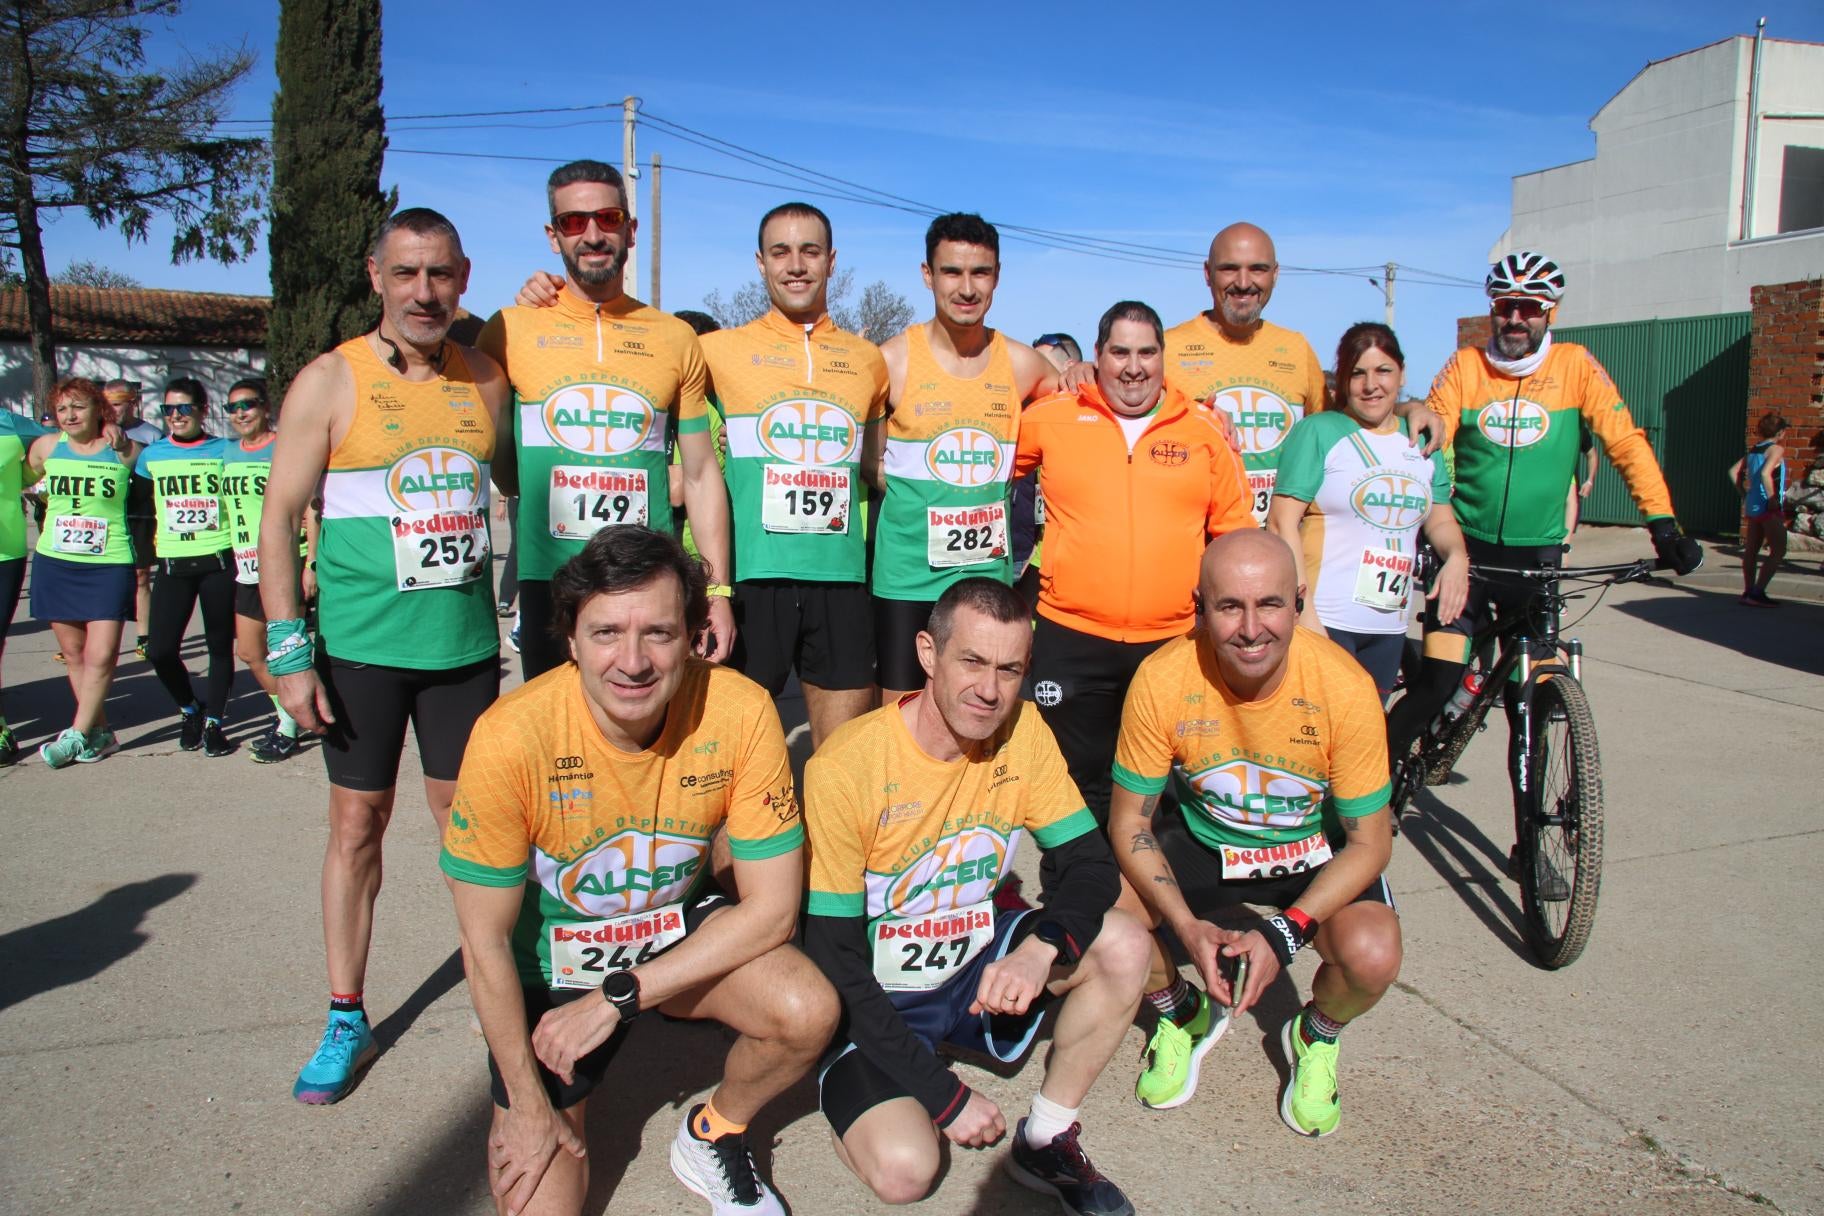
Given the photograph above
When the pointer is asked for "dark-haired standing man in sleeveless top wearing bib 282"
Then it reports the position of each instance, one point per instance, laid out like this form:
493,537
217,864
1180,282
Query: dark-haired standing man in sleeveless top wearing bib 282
953,413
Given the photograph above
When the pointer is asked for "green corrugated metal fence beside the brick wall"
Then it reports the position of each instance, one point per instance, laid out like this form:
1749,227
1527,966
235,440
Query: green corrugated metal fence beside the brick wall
1686,384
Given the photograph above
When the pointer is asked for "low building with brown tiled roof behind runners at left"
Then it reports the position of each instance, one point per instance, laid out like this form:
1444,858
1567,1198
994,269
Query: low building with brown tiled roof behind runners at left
140,335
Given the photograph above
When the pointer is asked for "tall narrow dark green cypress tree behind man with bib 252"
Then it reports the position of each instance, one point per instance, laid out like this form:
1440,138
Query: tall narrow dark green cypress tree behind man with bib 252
329,136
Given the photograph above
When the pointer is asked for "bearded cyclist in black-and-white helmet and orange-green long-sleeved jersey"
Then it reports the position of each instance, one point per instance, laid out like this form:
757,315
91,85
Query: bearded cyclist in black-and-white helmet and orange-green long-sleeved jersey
1511,411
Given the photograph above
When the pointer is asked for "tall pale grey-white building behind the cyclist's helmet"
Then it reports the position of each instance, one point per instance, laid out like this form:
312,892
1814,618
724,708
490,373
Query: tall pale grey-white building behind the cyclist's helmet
1659,223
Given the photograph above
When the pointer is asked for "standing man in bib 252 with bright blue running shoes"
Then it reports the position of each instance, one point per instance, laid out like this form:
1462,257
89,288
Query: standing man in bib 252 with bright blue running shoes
395,431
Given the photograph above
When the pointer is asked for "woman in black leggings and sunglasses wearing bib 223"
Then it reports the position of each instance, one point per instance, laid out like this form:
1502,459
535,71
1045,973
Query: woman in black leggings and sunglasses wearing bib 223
194,564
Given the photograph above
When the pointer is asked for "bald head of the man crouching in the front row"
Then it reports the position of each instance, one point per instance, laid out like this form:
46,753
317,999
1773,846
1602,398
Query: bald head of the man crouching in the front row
1250,610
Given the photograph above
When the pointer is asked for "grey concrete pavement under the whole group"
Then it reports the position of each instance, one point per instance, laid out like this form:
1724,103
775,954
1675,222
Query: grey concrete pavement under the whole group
161,982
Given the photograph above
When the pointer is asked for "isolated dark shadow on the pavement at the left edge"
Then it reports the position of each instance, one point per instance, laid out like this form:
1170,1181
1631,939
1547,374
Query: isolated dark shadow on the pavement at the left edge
85,943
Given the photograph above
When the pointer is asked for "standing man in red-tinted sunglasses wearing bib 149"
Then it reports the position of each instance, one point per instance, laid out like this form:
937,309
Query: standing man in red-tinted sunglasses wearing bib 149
597,382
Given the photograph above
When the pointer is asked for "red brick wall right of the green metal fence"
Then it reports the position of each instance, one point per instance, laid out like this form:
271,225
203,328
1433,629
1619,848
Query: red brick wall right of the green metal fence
1787,373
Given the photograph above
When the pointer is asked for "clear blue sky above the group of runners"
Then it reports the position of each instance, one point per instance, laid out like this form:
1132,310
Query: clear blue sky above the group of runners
1356,138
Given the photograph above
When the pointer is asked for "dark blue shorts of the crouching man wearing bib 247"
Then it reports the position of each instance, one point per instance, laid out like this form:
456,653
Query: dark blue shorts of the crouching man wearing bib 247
851,1084
